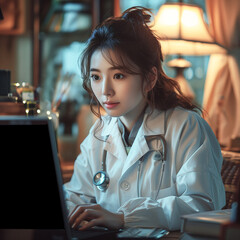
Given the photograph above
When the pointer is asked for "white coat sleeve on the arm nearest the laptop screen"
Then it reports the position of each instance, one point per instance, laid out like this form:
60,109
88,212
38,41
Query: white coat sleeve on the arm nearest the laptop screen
80,188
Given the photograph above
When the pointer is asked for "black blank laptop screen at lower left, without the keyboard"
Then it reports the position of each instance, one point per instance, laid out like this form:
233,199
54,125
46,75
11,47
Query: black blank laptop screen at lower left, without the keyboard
28,182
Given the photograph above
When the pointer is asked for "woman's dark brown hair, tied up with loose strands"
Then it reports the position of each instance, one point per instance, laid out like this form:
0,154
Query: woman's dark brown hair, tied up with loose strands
132,40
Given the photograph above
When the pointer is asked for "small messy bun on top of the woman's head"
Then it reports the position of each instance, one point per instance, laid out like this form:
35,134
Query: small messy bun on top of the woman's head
137,15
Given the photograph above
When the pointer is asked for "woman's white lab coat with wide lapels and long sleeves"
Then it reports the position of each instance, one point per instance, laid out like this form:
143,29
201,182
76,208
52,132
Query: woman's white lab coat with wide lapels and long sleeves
191,180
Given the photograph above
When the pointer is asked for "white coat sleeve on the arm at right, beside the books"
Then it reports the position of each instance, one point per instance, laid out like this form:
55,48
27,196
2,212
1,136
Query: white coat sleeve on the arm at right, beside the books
198,182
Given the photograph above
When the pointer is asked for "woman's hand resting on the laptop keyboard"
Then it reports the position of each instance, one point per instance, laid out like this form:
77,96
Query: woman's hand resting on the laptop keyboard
95,215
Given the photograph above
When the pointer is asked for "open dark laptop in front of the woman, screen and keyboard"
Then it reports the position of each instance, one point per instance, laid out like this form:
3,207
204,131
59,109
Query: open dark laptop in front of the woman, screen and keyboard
32,204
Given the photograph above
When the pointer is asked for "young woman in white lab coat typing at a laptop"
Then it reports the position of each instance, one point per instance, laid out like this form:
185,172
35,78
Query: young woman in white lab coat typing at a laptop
152,158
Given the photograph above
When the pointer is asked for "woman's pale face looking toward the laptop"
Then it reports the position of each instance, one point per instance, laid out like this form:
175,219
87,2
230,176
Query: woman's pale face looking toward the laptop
119,92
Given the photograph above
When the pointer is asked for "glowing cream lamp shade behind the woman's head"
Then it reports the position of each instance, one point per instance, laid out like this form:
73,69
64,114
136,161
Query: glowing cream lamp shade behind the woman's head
183,30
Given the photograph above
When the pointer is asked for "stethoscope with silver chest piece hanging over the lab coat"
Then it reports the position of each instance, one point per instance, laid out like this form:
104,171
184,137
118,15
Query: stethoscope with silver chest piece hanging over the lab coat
101,179
